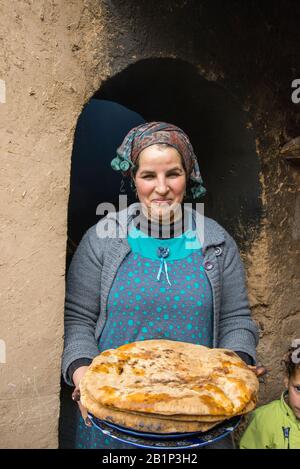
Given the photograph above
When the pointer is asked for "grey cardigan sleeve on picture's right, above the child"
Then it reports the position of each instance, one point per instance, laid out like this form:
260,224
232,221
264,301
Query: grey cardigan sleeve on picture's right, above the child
237,330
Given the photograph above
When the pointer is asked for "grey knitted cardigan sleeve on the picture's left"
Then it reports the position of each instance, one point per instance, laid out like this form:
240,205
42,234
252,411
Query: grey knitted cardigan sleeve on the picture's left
82,303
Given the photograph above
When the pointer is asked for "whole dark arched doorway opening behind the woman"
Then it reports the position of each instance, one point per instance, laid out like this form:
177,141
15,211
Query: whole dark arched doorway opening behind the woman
168,90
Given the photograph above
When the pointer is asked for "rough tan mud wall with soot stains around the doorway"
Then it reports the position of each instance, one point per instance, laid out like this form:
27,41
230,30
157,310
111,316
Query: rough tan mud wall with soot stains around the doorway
54,57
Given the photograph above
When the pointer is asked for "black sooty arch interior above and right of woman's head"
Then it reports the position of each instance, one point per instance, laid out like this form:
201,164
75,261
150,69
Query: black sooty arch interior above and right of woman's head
173,90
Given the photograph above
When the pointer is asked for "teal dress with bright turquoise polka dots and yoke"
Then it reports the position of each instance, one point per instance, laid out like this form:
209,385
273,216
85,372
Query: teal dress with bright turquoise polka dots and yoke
155,297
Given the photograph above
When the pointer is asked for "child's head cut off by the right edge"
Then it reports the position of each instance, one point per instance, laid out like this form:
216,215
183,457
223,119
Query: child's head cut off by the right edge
292,379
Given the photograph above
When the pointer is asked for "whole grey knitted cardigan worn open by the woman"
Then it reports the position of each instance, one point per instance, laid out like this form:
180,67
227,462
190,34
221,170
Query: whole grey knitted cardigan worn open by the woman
95,264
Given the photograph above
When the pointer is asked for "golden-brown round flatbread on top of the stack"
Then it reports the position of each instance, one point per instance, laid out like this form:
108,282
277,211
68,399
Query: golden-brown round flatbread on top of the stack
170,378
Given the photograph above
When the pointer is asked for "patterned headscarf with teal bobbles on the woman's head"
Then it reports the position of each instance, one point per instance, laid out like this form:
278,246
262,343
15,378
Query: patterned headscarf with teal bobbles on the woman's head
152,133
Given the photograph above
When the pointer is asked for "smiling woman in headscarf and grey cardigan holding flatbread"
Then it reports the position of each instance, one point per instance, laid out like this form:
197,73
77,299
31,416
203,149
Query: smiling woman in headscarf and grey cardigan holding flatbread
161,274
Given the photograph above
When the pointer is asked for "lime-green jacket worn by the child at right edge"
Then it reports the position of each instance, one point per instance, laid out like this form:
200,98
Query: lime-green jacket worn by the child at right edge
272,426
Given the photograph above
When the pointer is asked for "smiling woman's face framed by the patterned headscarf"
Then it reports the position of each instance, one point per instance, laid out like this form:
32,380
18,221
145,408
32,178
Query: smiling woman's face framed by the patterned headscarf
160,182
